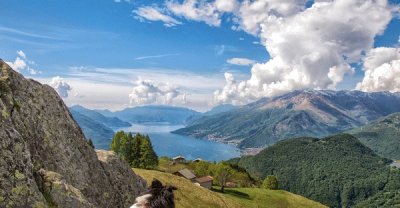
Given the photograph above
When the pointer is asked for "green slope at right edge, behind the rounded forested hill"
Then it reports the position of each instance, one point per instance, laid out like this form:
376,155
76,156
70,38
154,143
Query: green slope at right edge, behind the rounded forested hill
382,136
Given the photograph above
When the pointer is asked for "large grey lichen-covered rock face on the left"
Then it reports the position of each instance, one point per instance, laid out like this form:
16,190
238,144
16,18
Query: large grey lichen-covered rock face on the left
45,160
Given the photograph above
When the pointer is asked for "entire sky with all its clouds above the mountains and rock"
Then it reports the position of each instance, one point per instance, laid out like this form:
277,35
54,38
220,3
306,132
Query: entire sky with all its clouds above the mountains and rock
110,54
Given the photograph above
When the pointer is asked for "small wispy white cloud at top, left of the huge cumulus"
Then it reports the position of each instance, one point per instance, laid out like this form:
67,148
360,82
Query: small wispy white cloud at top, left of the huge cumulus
155,14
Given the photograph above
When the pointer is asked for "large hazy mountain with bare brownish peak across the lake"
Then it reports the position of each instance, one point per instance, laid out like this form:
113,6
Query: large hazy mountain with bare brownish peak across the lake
299,113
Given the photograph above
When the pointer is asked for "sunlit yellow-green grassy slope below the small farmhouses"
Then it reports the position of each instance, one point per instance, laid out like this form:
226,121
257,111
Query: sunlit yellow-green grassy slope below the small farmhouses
190,195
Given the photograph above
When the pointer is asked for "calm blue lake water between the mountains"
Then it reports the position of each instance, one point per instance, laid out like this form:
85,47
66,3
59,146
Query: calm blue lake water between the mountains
171,145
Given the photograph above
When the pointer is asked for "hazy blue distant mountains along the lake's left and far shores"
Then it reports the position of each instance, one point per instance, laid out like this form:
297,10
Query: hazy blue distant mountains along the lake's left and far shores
100,125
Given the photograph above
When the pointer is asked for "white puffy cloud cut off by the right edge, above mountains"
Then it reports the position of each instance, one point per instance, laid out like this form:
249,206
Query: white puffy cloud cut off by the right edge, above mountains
382,70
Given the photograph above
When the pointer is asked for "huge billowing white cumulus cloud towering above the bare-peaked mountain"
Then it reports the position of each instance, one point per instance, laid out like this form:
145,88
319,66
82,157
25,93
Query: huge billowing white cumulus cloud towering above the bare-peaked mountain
309,47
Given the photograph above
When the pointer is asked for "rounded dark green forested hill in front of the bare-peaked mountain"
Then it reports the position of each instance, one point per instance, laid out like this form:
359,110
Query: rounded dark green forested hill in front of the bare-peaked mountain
338,171
